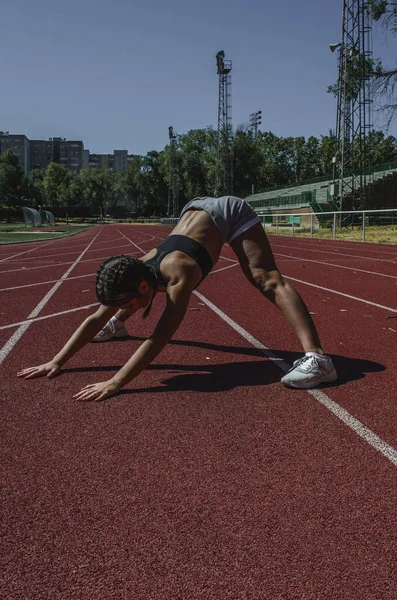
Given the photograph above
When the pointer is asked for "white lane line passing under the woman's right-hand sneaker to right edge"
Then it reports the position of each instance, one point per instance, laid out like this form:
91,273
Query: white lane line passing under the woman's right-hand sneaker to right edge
343,415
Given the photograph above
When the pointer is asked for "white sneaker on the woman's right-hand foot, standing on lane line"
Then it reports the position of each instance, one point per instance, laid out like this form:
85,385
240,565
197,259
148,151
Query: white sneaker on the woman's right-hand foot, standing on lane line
309,371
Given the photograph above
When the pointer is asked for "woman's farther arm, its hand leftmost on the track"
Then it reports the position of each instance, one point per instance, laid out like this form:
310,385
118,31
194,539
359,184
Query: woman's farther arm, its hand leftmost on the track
82,336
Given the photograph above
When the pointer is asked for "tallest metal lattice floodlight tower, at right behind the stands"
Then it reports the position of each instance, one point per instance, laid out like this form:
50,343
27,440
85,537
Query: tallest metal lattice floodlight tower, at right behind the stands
354,108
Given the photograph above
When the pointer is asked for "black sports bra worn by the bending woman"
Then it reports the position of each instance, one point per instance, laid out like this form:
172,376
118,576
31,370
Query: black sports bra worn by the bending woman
184,244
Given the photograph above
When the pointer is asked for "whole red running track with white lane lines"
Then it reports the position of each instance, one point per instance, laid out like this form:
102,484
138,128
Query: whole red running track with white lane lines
205,478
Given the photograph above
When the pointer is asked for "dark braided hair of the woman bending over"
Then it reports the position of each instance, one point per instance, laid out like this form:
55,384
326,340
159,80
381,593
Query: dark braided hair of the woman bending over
118,280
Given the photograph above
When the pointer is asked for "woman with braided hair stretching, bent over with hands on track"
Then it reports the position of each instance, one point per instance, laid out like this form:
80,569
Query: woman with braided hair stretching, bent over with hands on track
176,267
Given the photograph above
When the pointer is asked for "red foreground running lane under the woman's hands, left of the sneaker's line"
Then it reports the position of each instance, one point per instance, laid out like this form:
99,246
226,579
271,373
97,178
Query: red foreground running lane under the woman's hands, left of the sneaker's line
204,479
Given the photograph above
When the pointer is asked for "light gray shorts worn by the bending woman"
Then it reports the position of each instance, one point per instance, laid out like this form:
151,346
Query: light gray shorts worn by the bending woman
231,215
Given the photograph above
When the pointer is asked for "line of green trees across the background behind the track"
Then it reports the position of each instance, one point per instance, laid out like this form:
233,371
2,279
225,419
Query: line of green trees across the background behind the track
143,188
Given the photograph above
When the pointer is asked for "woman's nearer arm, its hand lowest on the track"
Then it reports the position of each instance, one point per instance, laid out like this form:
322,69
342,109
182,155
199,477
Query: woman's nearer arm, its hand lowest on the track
178,297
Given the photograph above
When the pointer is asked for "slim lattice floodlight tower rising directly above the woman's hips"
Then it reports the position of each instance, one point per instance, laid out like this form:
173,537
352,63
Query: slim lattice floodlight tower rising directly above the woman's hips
224,161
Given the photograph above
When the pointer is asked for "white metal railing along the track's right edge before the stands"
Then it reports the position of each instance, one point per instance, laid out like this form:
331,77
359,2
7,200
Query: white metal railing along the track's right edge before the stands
337,220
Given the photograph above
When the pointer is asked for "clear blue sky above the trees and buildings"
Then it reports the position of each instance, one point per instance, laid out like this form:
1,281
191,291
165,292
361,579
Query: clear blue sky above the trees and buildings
117,73
